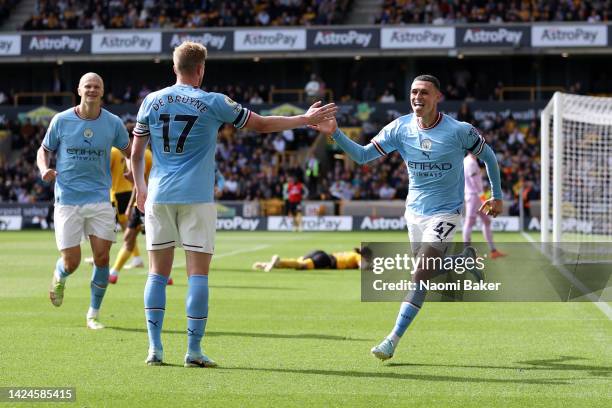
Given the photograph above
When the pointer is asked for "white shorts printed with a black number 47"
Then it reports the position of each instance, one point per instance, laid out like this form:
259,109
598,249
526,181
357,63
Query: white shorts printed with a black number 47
437,230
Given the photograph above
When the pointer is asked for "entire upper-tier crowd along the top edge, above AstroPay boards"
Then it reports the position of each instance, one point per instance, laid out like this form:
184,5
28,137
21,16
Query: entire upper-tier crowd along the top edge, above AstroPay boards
115,14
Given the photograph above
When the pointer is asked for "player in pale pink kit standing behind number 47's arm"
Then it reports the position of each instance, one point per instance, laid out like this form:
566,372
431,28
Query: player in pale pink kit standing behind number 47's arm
473,191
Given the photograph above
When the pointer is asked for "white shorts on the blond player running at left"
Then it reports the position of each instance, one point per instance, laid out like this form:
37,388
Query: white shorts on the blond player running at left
75,222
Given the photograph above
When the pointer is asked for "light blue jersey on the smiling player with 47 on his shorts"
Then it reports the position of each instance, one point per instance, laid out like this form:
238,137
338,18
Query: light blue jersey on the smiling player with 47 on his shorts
434,158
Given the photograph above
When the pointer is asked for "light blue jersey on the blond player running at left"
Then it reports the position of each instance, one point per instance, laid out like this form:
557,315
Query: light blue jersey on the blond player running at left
82,148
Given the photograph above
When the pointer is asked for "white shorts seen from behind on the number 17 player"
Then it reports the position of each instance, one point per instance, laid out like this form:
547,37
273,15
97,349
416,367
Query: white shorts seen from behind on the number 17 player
190,226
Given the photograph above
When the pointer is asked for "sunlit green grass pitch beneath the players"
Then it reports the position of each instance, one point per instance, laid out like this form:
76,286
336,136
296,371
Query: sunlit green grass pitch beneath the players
293,338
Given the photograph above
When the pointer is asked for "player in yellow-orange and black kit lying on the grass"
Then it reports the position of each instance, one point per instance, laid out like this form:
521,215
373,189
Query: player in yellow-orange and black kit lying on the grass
317,259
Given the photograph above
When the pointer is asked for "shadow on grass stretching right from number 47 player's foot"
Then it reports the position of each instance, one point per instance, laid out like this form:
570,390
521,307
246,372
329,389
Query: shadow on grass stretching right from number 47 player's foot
556,364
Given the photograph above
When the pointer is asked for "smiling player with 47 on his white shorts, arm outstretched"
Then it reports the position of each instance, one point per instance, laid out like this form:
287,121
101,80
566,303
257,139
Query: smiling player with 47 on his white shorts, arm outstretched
433,146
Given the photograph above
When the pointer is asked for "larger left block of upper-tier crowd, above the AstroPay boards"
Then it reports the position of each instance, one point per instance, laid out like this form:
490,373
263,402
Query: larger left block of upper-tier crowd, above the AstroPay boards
116,14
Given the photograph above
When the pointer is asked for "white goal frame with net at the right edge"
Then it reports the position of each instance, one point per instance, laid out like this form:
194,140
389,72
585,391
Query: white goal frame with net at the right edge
576,156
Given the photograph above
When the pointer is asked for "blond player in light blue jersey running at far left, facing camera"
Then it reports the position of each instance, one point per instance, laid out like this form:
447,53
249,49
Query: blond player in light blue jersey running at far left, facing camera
82,138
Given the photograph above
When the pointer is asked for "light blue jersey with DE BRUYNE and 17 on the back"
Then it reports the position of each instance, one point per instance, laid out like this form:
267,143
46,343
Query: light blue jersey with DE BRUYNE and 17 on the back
183,122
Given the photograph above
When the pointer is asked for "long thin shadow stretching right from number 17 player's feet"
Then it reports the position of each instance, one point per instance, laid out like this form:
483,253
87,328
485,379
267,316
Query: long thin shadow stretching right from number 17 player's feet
402,376
